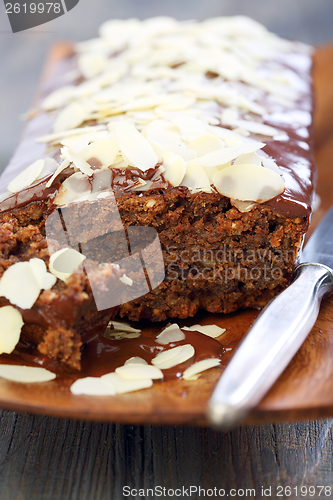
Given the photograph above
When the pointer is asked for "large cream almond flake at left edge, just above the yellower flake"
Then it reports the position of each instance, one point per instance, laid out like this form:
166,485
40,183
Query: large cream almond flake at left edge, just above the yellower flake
19,285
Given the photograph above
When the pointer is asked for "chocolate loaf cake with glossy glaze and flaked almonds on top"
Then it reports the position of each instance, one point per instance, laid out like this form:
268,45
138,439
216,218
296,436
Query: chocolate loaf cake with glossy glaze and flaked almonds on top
201,131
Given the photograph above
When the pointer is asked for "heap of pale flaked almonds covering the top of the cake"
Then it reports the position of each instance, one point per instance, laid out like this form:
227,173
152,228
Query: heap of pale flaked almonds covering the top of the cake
142,82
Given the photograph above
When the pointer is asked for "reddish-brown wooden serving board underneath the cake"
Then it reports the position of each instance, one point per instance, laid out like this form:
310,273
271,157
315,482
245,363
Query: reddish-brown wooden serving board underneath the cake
304,390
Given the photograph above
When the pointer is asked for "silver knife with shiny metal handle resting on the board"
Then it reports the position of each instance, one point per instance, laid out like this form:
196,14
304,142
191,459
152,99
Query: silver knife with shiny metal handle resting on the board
277,334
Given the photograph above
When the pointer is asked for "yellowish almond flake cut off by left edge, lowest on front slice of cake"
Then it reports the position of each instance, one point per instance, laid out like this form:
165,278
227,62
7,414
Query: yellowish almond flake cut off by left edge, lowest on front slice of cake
11,324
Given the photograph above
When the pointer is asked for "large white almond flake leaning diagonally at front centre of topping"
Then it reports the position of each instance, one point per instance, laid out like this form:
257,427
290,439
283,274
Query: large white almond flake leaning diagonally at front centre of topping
135,147
